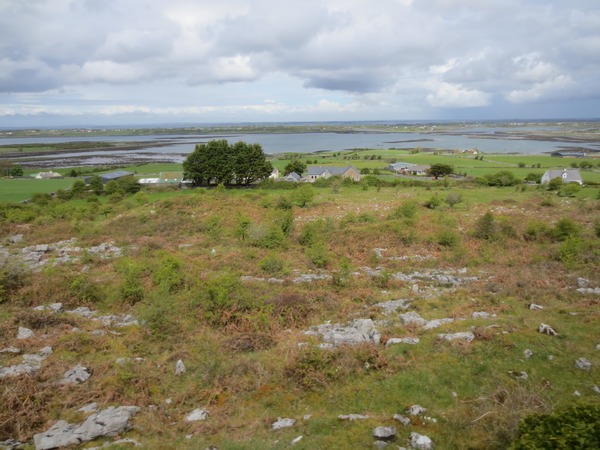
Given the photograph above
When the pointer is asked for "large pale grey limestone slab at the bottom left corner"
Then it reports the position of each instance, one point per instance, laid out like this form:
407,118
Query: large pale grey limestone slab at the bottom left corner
108,422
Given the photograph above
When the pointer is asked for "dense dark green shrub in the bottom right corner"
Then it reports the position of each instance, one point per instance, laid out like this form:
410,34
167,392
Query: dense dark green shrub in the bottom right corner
575,427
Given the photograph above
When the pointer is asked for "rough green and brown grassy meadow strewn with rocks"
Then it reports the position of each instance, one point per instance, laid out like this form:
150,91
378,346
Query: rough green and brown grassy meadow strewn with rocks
221,279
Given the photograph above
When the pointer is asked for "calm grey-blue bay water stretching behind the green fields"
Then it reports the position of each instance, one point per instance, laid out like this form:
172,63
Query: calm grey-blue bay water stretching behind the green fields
181,145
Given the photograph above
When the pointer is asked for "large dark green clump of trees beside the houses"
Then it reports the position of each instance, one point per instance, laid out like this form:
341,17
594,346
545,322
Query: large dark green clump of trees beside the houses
218,162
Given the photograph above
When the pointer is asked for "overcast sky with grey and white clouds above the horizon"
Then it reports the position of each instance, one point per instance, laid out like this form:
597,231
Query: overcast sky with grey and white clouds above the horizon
67,62
